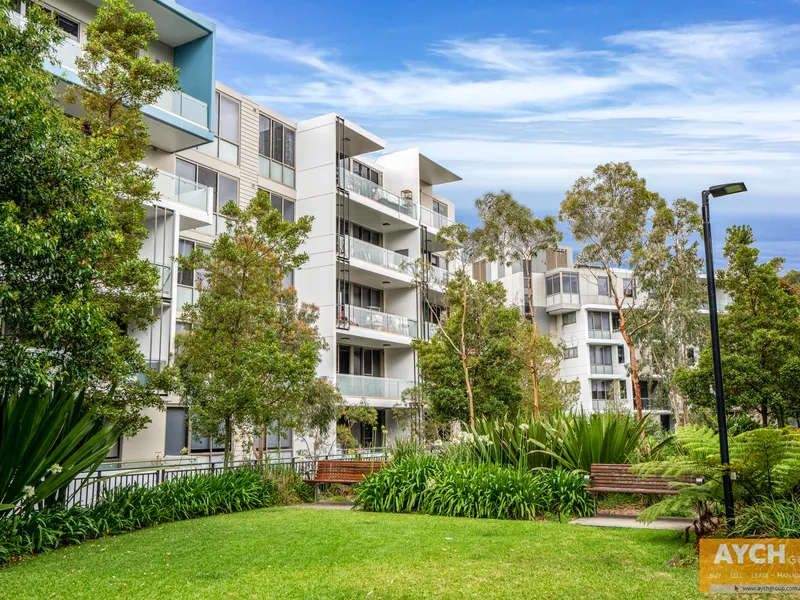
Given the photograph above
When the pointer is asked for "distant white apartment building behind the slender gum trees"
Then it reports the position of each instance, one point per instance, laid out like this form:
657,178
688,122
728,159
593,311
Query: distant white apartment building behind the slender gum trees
574,303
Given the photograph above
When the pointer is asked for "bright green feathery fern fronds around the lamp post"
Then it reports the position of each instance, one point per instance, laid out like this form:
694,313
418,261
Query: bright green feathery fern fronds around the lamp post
766,463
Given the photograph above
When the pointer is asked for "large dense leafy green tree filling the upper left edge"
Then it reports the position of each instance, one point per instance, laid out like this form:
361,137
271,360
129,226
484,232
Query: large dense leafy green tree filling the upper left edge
71,280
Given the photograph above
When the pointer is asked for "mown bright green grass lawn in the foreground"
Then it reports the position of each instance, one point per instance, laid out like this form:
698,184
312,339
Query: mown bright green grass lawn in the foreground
301,553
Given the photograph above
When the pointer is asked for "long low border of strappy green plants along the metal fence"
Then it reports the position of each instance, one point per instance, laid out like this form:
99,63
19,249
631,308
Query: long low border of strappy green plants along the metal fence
134,507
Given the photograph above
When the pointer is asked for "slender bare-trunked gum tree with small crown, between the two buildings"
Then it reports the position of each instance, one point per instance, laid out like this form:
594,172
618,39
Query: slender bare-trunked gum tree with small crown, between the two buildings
510,233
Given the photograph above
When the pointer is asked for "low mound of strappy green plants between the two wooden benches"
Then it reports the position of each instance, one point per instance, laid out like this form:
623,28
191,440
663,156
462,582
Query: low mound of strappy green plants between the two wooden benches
442,486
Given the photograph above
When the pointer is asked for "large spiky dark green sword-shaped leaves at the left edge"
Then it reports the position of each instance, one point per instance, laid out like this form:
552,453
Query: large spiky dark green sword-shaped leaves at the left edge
47,437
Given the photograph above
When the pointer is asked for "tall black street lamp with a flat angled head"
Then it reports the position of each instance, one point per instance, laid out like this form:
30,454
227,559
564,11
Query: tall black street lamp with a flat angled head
716,191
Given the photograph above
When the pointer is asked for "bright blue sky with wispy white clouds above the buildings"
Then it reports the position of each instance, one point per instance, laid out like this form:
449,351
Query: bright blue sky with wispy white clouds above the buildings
528,96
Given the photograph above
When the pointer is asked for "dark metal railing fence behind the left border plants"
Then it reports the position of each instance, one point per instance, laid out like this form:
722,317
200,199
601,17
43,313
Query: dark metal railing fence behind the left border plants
88,489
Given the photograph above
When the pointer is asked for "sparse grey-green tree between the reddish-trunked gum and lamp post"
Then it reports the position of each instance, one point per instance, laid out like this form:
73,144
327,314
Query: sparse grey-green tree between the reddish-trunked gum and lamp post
672,341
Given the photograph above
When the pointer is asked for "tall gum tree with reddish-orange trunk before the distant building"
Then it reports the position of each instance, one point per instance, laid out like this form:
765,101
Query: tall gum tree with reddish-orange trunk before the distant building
623,225
